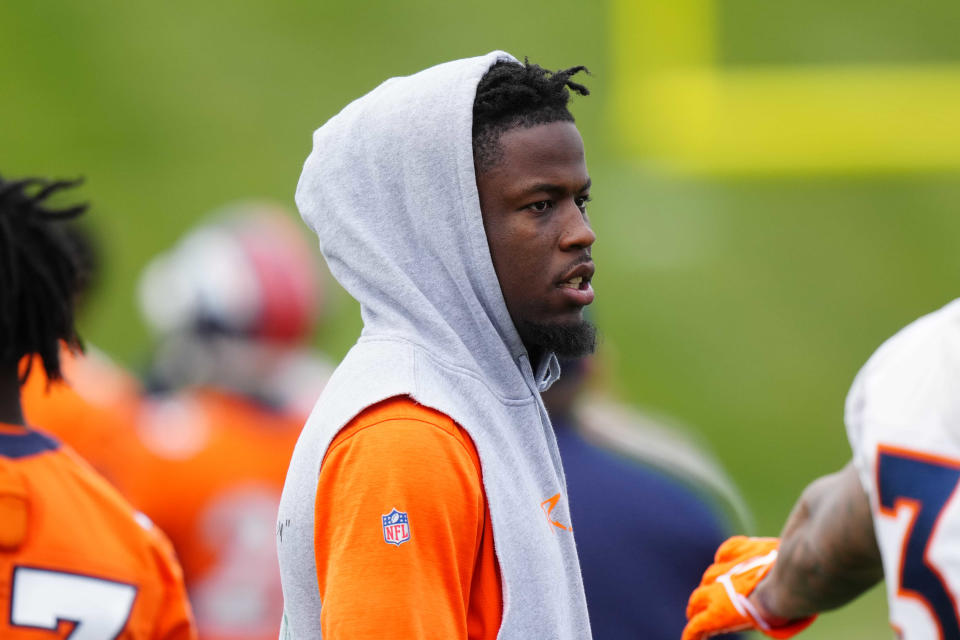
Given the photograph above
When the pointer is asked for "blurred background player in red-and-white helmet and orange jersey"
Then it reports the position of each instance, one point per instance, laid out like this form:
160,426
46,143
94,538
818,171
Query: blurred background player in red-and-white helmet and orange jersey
204,445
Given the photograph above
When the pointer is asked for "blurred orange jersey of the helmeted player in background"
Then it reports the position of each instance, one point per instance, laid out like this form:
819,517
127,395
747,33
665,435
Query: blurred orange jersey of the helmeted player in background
209,471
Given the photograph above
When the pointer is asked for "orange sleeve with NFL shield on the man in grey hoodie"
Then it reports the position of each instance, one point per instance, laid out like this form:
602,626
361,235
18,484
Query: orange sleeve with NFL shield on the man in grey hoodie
404,544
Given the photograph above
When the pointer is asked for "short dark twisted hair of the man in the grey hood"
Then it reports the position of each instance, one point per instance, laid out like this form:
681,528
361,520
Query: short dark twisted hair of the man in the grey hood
512,95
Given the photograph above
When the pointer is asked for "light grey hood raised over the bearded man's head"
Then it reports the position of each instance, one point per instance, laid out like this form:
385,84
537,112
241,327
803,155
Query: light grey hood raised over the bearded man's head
391,193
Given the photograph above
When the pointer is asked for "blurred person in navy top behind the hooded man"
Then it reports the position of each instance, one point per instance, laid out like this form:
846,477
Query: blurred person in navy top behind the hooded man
649,507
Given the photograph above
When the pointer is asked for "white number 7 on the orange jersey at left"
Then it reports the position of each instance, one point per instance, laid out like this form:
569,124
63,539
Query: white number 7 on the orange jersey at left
41,599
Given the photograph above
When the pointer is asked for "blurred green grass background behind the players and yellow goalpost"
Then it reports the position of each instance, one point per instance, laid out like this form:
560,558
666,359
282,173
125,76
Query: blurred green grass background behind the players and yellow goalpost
743,306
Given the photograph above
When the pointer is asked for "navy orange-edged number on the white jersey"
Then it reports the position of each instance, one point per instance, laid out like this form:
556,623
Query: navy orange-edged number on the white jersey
924,484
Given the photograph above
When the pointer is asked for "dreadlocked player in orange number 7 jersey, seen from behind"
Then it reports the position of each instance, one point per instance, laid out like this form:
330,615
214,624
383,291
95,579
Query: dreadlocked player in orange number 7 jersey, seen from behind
75,559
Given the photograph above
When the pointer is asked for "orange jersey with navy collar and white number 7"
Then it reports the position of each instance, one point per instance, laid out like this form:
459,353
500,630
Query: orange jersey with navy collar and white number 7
75,559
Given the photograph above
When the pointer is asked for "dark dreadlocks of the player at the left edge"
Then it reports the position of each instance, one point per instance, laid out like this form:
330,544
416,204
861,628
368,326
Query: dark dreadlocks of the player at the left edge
41,272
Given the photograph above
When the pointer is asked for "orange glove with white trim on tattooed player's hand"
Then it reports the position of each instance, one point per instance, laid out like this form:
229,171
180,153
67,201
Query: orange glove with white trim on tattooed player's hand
721,603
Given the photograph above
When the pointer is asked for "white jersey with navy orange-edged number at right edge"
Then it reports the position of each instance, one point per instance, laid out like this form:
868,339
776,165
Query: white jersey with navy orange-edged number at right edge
903,421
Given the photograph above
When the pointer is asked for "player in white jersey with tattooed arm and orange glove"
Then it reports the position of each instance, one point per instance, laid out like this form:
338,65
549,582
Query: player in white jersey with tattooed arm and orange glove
892,511
